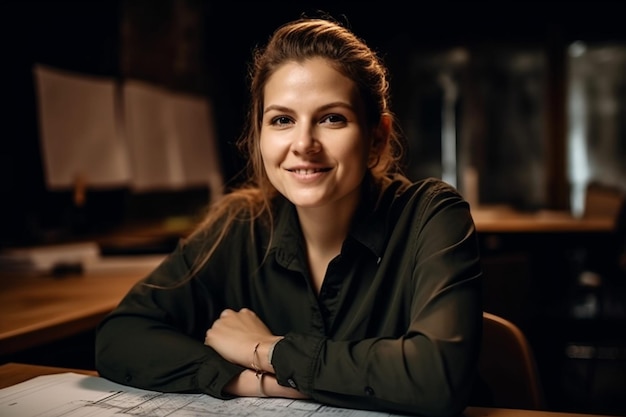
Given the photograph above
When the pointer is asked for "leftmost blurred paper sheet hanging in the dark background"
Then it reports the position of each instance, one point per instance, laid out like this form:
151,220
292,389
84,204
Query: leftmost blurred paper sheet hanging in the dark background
79,130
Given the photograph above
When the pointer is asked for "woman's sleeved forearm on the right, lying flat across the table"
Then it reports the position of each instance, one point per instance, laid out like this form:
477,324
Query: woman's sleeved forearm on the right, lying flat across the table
428,371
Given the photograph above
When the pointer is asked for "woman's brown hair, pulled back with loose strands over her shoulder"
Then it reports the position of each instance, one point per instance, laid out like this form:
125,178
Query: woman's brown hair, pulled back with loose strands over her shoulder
298,41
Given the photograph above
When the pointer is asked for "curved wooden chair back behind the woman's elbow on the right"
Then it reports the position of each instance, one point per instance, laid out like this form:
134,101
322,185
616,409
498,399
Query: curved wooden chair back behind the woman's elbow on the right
507,366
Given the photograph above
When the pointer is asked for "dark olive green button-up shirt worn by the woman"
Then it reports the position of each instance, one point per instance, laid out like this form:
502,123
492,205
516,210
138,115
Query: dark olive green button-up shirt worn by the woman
396,325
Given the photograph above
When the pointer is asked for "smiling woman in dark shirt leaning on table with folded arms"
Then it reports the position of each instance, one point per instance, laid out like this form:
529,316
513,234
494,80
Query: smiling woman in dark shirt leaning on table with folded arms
329,275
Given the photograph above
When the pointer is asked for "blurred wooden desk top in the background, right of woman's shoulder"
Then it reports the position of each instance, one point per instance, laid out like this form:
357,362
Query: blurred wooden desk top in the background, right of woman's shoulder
505,220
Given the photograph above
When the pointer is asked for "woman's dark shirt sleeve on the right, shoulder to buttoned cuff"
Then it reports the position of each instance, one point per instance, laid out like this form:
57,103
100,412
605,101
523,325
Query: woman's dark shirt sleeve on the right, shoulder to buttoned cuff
427,368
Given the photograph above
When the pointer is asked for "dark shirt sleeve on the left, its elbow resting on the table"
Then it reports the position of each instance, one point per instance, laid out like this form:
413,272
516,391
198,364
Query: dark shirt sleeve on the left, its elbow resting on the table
164,312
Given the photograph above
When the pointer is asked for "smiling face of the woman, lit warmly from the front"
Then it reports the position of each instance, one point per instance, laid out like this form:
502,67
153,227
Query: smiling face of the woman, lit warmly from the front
314,139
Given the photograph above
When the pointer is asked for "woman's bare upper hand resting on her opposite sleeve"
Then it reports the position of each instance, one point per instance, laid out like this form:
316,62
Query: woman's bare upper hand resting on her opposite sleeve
235,334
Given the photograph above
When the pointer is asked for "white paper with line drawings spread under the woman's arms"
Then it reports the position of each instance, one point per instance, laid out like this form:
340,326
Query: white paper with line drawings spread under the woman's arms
74,395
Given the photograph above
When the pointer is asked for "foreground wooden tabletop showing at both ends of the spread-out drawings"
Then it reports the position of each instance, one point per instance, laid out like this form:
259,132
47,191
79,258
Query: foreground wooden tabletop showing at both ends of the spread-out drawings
14,373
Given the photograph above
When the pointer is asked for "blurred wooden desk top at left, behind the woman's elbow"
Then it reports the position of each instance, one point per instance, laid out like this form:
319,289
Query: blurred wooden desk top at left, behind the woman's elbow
38,309
